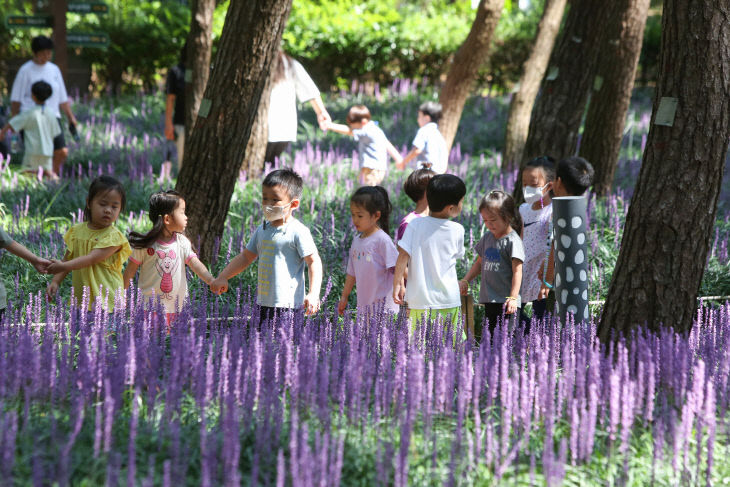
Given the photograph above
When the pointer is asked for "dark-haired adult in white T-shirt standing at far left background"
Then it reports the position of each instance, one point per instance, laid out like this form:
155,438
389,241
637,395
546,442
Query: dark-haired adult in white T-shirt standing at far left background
40,68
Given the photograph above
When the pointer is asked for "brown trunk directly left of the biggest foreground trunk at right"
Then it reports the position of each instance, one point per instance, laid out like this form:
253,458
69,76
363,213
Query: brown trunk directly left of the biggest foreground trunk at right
604,125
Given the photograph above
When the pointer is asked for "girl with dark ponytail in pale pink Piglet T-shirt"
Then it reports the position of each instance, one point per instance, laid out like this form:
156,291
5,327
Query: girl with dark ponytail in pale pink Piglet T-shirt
162,254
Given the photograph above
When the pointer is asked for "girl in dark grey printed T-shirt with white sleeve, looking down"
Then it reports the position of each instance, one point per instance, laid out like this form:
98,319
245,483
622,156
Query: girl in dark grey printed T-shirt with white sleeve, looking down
500,255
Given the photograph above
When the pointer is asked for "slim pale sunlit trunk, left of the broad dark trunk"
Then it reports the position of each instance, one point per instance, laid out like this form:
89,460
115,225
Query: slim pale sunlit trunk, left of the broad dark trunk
518,121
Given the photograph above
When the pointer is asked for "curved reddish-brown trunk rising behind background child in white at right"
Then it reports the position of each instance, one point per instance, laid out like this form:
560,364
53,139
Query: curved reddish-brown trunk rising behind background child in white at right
464,69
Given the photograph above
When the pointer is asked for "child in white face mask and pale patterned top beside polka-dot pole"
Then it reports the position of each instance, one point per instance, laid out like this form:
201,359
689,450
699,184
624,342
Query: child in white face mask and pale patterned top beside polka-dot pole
537,215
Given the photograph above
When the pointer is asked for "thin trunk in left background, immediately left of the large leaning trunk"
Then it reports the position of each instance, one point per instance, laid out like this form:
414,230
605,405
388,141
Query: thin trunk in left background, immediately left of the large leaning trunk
197,63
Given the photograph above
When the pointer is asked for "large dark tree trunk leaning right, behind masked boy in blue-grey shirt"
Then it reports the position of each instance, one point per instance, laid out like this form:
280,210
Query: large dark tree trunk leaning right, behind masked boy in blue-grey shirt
248,46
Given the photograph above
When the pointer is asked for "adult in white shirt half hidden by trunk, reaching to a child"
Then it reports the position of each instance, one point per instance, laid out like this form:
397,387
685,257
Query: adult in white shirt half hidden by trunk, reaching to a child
291,83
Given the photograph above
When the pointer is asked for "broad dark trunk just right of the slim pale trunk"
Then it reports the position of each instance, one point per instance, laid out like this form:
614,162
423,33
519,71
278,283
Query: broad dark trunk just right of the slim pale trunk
559,109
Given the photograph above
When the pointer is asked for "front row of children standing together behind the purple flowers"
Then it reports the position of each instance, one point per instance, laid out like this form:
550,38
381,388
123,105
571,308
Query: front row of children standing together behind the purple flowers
418,269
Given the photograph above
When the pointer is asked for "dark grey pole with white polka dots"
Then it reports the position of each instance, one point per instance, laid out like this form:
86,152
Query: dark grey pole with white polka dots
571,266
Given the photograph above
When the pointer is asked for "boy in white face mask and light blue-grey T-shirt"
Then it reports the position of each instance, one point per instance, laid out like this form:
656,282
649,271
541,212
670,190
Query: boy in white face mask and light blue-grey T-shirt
284,246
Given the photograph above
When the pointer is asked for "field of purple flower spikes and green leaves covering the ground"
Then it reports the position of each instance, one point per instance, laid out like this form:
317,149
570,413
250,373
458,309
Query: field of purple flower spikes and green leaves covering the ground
97,398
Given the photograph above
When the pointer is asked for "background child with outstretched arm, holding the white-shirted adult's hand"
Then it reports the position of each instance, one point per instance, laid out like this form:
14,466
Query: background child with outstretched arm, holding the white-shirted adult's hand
372,145
